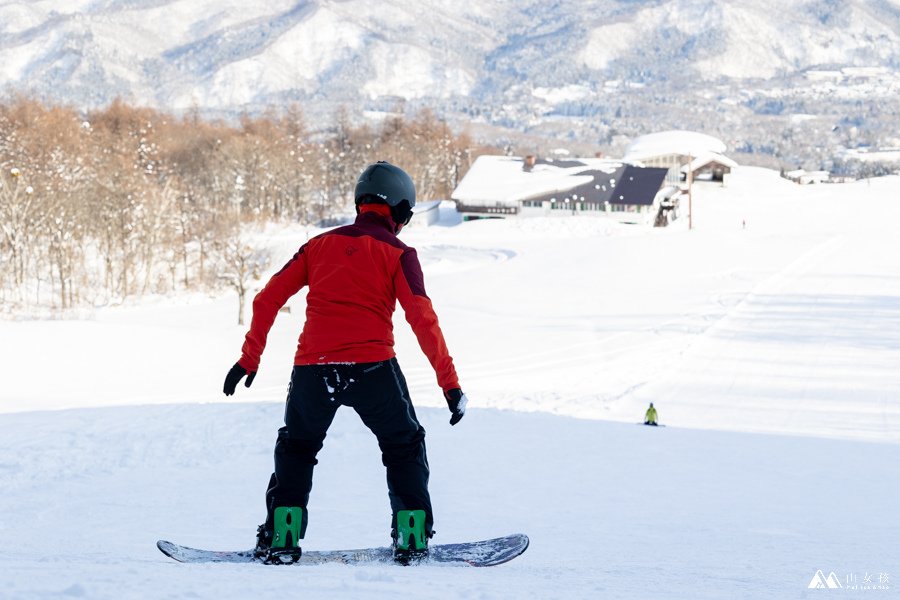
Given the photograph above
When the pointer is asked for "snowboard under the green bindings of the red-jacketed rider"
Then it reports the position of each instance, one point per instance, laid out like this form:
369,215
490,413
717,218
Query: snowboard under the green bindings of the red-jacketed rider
484,553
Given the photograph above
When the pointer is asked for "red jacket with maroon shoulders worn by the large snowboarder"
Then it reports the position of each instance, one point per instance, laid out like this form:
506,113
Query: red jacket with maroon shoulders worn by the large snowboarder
355,275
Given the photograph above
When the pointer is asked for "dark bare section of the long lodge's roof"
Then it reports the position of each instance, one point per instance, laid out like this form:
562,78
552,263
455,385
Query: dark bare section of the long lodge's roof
626,185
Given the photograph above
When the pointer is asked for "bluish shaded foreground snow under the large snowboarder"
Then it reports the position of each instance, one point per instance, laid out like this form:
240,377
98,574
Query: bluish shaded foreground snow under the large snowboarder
613,510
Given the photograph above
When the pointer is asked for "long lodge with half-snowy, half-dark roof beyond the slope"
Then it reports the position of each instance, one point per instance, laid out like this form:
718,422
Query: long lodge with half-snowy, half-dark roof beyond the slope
504,186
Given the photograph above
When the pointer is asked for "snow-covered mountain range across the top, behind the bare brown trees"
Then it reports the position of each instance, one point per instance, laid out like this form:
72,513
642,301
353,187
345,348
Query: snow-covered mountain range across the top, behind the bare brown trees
585,71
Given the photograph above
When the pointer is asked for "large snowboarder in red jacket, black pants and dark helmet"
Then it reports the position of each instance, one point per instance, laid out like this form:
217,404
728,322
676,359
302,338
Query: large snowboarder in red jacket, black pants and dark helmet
345,356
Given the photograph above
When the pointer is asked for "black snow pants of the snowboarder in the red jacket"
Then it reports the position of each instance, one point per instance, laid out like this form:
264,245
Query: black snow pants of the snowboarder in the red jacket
378,393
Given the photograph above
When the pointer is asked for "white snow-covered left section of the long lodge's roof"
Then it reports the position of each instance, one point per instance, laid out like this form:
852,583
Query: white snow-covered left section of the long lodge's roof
493,180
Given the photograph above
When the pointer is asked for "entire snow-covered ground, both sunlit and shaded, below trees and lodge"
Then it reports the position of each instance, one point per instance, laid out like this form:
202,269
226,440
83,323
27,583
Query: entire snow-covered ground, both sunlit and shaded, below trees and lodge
768,338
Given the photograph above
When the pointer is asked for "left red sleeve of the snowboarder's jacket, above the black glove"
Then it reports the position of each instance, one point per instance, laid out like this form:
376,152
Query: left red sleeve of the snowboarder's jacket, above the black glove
284,284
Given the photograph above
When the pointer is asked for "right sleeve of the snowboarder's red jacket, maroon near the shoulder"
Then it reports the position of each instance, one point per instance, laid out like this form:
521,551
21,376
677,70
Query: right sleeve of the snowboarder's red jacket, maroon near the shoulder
410,286
